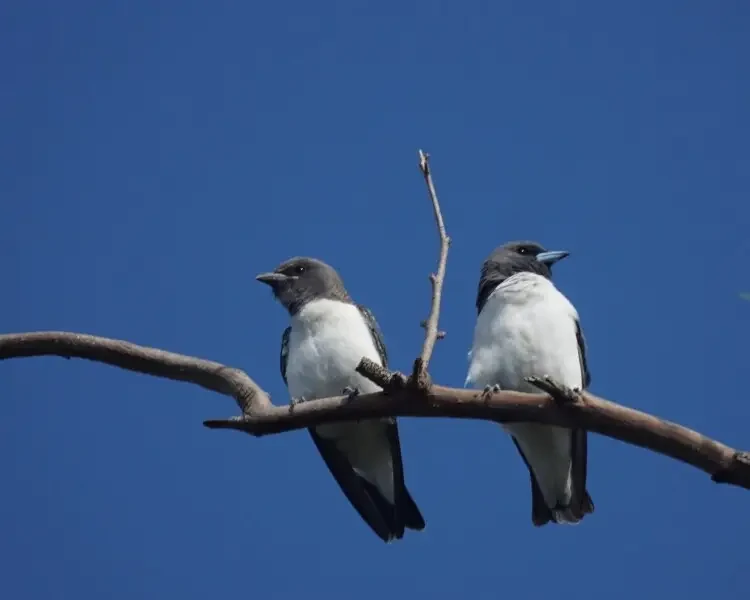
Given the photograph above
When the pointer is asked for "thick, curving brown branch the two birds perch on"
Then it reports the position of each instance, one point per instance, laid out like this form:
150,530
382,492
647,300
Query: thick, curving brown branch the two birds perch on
260,417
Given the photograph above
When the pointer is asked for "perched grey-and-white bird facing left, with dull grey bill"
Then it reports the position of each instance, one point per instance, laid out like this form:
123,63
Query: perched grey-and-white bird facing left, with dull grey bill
328,336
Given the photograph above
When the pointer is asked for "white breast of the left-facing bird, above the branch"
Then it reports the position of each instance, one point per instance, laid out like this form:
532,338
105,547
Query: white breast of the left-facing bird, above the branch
327,341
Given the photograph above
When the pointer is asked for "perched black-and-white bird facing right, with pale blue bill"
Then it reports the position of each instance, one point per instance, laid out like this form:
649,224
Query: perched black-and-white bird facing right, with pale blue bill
527,328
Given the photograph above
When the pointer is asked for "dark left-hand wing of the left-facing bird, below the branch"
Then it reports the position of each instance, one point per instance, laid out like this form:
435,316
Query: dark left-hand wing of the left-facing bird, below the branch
374,509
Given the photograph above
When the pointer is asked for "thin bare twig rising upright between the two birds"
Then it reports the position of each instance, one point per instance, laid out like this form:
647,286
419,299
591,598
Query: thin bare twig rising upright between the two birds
432,333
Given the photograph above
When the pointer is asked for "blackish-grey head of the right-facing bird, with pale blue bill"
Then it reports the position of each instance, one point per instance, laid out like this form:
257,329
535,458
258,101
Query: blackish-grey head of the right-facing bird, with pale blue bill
511,258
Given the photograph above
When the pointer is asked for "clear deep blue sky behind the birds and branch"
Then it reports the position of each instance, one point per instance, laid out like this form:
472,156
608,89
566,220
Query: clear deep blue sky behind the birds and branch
155,156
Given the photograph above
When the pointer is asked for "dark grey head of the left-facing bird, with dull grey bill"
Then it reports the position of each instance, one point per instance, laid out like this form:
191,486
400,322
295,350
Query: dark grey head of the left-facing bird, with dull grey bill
300,280
